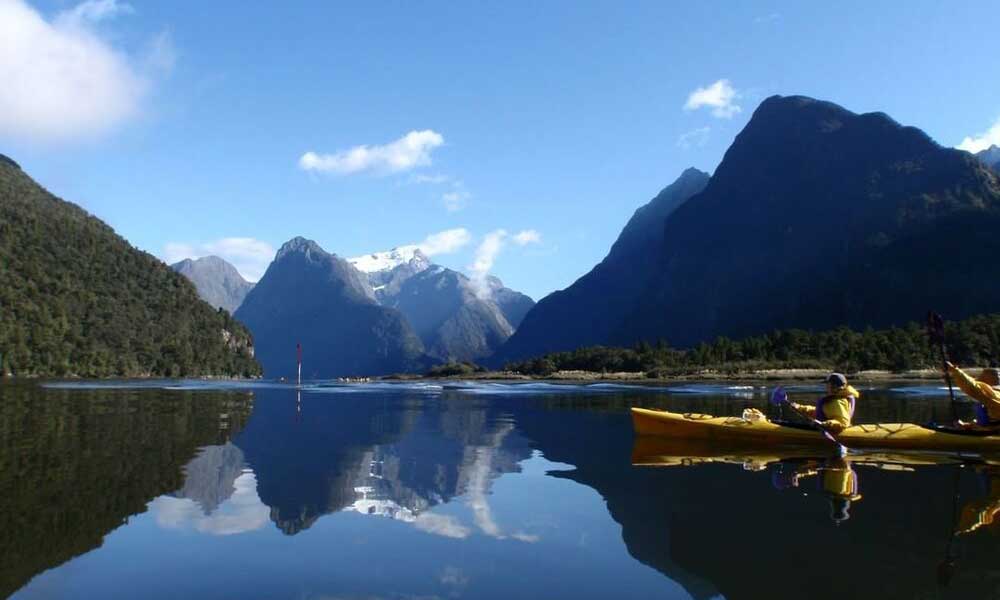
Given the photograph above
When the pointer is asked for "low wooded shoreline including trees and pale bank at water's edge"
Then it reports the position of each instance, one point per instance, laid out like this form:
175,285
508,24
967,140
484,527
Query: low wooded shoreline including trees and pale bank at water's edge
894,353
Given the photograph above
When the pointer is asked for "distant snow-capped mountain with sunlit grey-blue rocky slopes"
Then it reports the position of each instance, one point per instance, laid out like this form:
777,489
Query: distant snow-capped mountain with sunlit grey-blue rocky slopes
442,305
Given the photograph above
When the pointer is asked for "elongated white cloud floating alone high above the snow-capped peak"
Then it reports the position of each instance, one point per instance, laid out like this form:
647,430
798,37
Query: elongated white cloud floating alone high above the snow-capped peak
408,152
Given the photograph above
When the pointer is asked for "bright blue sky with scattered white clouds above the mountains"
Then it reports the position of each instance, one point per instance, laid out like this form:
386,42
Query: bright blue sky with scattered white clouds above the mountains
184,125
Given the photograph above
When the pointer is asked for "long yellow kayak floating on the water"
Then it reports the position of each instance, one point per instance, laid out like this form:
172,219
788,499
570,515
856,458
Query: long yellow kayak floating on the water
727,430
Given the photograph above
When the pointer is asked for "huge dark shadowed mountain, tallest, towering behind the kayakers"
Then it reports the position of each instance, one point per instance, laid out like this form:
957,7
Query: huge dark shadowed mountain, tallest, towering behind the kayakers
819,217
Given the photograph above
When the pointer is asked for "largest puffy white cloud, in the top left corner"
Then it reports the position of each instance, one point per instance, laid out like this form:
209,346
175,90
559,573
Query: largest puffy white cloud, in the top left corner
60,79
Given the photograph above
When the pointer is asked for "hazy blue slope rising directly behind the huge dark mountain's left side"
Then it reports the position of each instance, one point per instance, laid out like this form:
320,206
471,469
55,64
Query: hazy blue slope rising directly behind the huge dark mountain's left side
589,311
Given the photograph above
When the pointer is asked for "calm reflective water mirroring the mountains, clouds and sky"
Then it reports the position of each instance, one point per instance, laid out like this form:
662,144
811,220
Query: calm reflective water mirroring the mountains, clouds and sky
170,490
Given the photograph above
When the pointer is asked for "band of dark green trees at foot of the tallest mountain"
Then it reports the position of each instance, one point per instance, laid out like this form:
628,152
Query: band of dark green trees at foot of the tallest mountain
974,341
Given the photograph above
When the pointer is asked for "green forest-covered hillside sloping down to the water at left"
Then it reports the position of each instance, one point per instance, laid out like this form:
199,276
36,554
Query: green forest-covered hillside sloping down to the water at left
78,299
